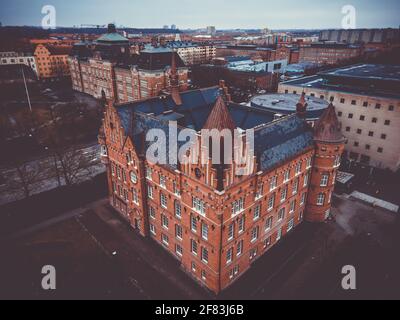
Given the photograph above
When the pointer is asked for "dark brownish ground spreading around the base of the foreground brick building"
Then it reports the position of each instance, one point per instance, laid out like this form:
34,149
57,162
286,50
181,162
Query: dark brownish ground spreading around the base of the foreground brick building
98,255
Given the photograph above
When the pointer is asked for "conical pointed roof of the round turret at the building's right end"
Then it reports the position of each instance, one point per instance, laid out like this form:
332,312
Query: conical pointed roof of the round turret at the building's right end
327,128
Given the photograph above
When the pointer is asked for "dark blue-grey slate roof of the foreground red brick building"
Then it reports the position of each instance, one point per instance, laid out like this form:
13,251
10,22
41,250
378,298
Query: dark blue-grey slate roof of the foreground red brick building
275,141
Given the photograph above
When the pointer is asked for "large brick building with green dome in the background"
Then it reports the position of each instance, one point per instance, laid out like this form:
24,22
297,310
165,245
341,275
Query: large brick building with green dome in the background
107,69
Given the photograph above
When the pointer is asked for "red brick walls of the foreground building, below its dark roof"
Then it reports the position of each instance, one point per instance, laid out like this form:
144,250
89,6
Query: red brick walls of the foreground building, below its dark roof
216,233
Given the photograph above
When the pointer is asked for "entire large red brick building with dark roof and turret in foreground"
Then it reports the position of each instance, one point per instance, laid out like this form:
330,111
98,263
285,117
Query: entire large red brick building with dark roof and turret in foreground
215,222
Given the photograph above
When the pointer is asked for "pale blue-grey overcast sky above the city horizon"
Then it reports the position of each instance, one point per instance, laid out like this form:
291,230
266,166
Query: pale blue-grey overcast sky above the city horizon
224,14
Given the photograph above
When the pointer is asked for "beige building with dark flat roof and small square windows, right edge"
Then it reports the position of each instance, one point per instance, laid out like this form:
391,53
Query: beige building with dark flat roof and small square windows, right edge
367,101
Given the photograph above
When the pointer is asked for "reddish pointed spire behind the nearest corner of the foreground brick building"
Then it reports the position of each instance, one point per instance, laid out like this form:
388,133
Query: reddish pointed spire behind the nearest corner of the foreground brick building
219,117
